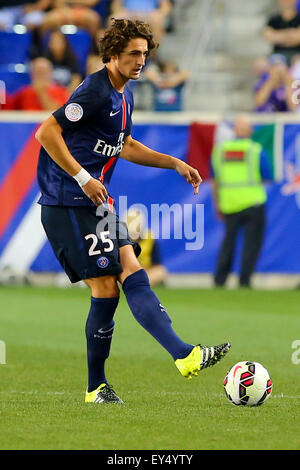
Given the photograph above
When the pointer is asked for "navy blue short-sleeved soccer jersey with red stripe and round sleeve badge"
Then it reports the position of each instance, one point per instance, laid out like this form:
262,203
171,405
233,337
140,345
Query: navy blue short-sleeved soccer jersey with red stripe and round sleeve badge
95,122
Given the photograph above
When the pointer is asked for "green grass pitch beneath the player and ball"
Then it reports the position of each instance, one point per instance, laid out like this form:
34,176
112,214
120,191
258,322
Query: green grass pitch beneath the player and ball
43,382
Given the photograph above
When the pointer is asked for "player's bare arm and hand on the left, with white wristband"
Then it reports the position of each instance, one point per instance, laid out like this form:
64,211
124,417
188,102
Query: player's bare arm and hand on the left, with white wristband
50,137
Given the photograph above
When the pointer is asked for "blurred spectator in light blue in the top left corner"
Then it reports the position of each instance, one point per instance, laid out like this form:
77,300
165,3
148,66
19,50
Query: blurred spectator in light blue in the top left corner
30,14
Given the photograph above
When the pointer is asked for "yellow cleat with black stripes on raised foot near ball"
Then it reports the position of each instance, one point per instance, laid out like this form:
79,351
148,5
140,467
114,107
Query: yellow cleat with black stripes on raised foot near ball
200,358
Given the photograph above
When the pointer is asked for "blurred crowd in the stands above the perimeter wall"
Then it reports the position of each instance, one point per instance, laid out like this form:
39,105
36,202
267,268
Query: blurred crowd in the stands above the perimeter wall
214,55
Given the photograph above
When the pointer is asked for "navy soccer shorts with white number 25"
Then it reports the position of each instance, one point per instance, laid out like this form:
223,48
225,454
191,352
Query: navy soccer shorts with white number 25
86,240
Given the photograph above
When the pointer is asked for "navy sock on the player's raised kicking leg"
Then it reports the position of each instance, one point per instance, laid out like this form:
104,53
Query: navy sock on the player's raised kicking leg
149,312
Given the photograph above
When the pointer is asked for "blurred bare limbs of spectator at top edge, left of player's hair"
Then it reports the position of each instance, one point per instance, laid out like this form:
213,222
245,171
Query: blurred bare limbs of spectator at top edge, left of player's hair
77,12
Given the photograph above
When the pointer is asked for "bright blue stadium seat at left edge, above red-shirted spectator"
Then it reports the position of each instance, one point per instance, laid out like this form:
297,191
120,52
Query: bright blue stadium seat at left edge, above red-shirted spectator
14,47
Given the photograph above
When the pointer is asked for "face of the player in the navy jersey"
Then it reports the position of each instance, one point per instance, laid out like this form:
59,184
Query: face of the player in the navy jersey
131,61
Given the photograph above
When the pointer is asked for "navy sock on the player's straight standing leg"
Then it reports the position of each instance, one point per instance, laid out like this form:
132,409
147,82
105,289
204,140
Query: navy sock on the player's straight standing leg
99,330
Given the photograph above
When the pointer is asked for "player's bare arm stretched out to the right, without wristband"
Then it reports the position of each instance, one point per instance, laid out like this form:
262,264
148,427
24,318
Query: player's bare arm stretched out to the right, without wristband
136,152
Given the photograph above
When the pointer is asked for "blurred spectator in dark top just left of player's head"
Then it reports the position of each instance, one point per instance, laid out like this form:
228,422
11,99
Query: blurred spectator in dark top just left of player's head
64,61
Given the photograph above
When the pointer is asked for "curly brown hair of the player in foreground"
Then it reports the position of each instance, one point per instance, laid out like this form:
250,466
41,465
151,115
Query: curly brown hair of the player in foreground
119,34
